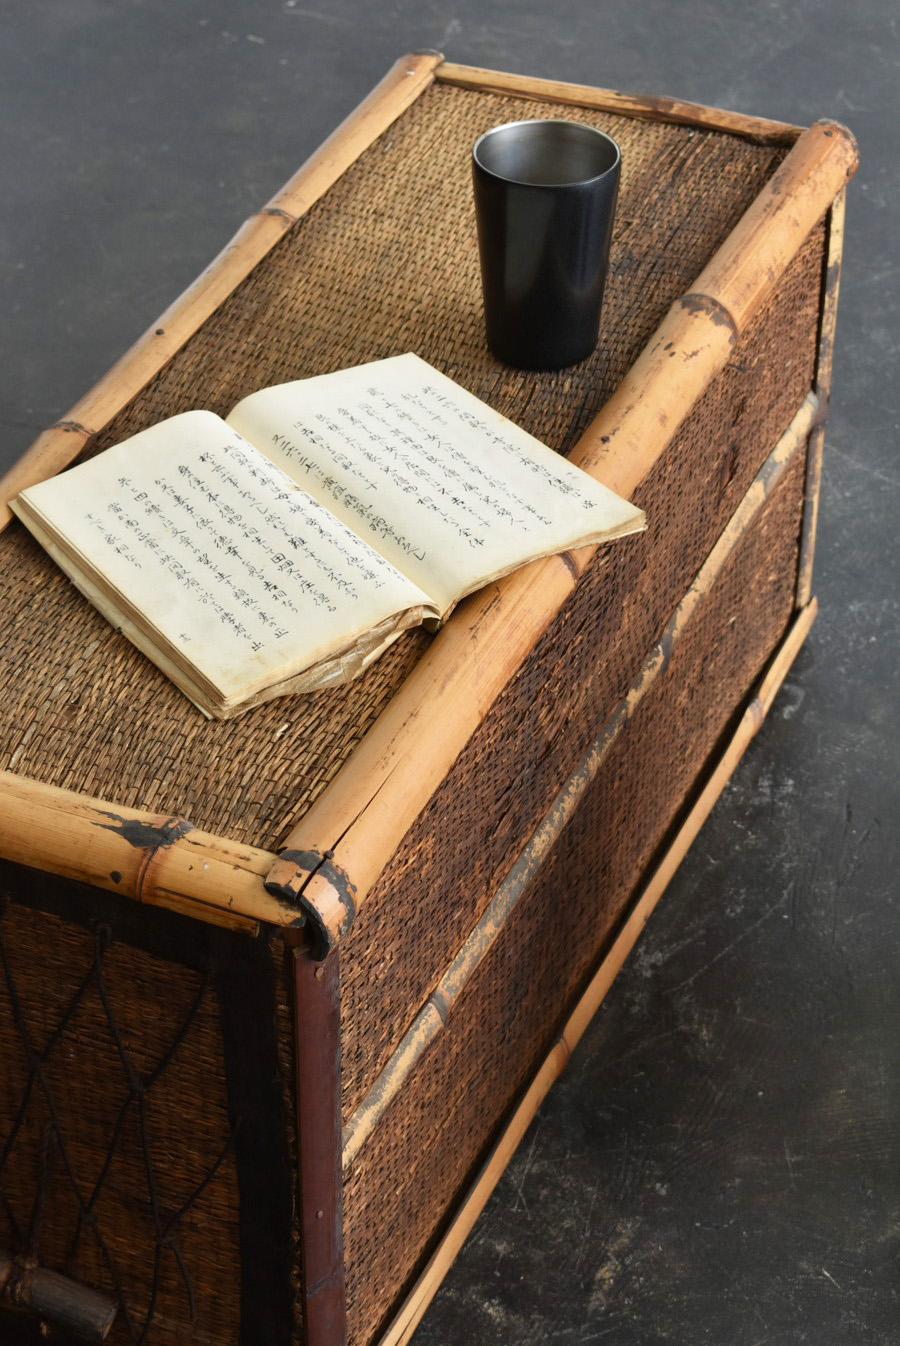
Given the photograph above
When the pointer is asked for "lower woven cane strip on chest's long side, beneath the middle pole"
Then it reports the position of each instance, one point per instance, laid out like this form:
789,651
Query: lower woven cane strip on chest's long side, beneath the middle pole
419,1161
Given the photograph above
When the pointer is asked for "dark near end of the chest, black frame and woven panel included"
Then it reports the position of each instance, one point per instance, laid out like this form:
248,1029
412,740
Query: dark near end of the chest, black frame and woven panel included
143,1114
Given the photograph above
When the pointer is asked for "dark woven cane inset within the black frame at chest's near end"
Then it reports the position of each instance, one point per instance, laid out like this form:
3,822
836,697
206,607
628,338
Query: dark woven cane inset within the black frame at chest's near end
134,1080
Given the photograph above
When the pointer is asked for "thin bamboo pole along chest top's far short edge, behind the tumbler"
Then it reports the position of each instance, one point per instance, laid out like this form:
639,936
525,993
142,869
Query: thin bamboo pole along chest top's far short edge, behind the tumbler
644,107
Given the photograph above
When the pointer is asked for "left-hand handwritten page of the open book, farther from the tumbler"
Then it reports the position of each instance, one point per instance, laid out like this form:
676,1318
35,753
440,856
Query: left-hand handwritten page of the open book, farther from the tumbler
237,571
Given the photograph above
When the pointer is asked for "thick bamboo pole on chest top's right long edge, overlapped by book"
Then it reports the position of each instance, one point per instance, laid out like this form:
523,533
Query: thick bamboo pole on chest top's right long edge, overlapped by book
334,855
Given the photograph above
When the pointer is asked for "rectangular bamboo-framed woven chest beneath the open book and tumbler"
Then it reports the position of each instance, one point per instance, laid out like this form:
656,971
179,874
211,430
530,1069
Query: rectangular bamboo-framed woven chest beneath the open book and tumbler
279,997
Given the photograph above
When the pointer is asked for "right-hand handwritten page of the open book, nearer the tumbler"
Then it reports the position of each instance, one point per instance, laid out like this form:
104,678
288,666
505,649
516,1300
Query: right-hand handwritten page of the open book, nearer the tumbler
447,489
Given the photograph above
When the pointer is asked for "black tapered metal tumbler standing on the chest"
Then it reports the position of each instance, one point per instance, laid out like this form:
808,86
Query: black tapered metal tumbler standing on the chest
546,197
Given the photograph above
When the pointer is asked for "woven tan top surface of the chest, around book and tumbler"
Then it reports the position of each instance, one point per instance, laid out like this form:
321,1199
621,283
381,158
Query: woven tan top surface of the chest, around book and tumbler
385,263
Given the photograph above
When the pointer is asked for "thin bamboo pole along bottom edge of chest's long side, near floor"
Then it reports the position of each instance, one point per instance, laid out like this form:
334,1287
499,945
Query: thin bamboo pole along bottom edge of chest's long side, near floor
552,1068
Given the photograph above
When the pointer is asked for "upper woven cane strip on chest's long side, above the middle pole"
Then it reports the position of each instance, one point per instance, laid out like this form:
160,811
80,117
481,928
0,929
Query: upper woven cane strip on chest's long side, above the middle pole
502,784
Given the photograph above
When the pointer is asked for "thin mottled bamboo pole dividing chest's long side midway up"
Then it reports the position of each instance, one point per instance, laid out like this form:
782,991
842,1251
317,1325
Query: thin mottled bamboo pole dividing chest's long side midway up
434,1016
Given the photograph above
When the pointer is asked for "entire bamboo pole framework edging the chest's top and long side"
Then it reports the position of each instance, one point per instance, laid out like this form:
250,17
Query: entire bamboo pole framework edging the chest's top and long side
338,851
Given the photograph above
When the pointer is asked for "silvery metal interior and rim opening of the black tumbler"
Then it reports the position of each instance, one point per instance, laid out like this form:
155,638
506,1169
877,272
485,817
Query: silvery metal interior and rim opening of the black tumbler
547,154
